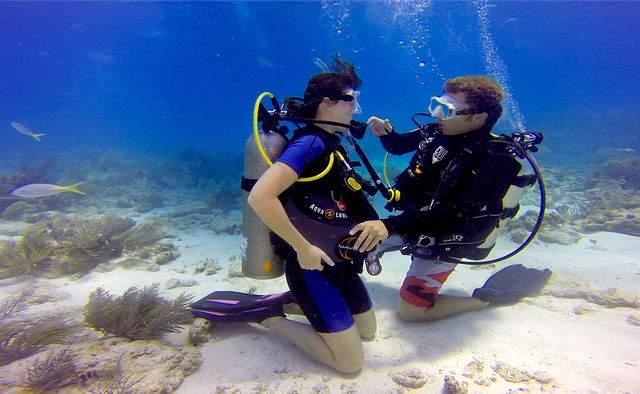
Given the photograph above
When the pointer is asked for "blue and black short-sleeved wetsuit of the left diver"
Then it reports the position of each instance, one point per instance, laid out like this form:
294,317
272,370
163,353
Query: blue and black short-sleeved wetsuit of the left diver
329,297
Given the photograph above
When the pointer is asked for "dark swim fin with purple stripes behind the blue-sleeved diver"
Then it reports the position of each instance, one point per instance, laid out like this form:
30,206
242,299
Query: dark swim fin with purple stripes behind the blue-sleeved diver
232,306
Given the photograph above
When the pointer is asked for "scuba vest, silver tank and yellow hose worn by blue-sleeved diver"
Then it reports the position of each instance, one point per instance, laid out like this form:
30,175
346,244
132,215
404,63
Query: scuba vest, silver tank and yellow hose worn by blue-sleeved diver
260,260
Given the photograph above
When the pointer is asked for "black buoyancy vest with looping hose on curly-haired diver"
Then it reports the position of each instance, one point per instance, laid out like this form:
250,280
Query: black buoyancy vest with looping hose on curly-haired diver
472,232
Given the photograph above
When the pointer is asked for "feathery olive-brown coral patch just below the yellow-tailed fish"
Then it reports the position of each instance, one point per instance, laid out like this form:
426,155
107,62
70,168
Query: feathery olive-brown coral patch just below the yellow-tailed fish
68,246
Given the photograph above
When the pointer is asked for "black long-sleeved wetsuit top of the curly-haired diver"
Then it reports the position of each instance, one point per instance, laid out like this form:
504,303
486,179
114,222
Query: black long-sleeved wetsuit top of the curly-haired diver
466,174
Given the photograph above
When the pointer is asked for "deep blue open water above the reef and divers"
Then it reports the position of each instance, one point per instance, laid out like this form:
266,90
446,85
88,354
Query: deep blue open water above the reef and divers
153,78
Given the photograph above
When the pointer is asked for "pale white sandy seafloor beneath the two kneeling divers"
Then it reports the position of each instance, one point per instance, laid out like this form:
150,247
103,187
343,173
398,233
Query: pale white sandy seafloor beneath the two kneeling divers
573,338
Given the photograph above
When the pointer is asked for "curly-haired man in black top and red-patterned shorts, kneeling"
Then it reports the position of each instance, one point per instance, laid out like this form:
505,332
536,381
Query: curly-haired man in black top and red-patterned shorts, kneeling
451,197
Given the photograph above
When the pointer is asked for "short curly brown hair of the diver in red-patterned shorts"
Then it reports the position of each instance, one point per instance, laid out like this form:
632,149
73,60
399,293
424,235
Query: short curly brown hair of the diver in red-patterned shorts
484,94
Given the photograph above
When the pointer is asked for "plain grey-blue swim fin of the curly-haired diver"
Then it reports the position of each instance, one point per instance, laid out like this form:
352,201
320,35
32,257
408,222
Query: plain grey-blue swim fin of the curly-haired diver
511,284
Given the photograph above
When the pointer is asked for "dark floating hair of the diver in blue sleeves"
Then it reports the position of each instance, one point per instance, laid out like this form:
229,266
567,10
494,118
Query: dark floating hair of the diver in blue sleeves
327,84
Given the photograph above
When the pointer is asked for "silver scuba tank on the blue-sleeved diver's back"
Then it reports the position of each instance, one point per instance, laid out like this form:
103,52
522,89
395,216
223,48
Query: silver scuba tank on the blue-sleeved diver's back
259,261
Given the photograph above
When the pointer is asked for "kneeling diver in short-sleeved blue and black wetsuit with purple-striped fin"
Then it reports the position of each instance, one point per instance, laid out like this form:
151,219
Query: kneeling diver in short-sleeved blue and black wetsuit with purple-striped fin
324,285
